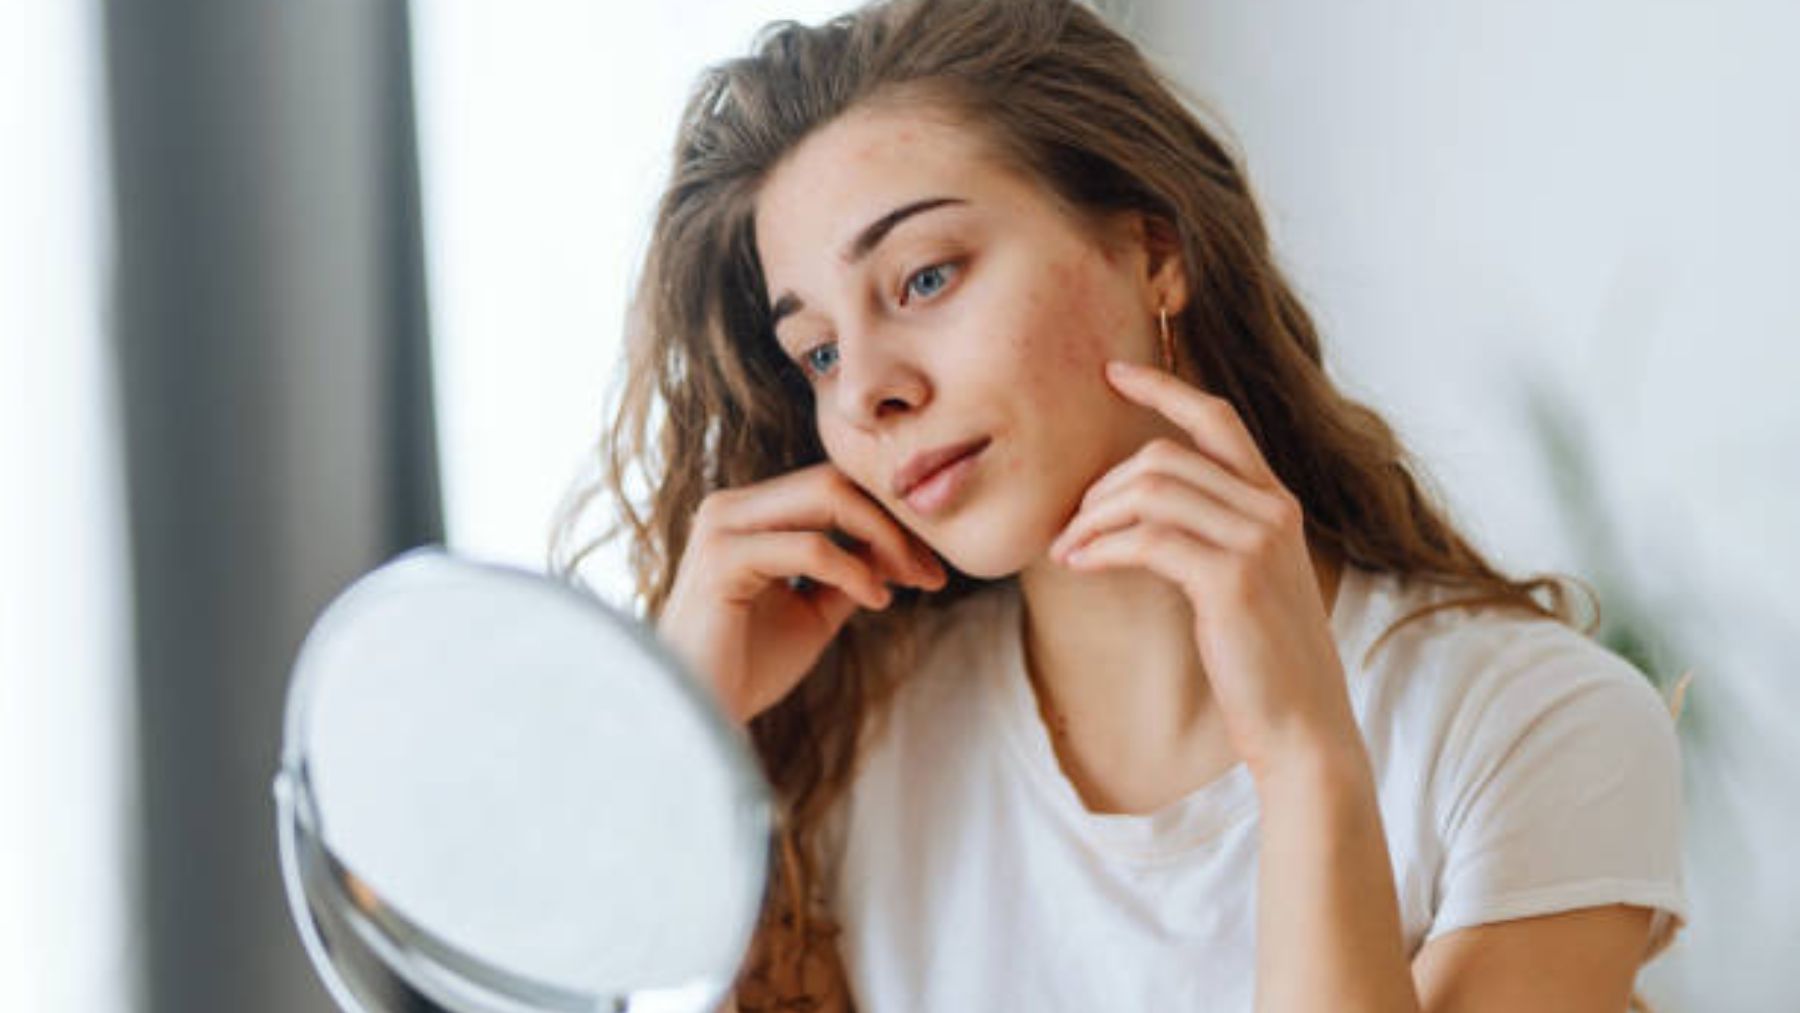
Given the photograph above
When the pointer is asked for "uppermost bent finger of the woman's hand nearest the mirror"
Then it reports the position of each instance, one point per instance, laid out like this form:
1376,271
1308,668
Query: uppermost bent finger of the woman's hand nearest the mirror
823,498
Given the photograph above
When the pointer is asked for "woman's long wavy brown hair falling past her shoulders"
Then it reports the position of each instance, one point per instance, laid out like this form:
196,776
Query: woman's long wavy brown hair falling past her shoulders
710,404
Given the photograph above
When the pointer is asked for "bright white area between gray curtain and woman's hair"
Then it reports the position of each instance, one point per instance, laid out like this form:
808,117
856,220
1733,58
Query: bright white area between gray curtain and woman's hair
546,134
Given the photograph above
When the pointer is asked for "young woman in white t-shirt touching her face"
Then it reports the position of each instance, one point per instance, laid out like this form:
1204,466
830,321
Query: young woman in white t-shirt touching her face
1102,654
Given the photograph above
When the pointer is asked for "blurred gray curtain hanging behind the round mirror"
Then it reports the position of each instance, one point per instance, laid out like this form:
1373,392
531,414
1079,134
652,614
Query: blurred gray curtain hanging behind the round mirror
269,312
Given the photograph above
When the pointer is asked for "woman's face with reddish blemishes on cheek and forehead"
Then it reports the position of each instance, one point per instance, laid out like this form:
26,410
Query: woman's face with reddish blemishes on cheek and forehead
935,300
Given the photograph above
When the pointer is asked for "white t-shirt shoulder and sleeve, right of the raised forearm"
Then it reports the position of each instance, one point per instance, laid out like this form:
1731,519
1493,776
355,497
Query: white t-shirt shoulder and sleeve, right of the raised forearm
1525,767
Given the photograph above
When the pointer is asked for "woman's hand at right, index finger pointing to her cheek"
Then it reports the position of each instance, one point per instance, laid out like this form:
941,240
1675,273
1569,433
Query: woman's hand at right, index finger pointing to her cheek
1218,523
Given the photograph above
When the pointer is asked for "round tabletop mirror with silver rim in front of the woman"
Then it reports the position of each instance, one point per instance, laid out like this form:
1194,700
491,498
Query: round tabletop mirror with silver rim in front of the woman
501,794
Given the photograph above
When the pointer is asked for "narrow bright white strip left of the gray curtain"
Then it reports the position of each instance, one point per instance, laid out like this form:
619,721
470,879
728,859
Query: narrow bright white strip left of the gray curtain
67,800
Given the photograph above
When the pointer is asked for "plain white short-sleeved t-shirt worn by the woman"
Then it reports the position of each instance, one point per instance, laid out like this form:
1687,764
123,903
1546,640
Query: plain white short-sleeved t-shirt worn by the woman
1522,769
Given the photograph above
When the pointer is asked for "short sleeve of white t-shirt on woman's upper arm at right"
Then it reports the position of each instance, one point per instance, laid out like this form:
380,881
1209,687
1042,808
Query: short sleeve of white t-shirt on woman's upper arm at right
1561,789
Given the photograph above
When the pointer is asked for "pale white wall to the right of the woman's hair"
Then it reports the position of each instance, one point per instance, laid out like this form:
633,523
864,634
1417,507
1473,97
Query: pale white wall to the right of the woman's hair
1601,195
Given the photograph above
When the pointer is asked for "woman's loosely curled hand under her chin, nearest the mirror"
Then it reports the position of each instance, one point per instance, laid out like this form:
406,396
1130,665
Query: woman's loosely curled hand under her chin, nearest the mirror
737,620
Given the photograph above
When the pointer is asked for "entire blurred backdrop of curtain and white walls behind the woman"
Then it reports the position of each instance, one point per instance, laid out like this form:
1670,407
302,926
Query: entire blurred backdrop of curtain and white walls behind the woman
287,289
